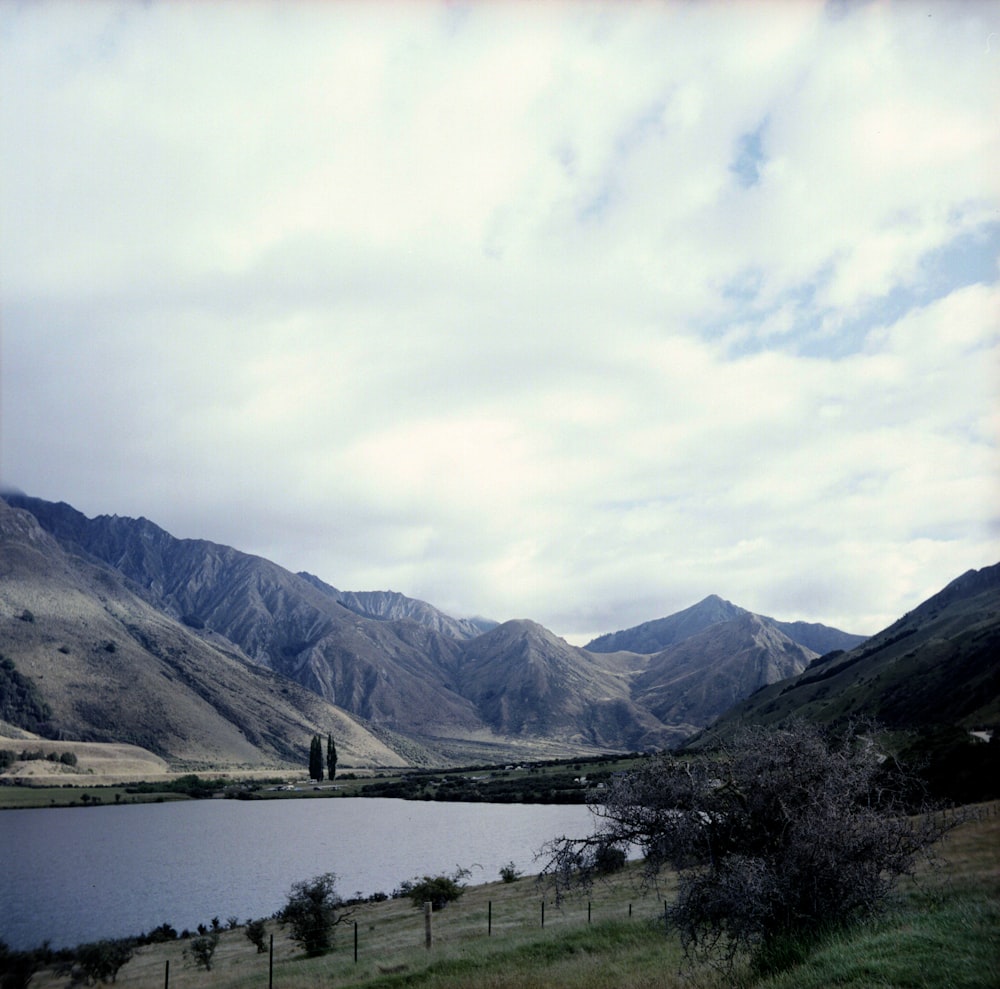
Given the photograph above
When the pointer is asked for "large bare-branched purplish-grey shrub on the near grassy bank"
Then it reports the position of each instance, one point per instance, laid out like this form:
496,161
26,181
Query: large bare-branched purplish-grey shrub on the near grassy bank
784,834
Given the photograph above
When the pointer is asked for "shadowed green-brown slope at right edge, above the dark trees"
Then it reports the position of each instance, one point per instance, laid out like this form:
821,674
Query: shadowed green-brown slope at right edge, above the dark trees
938,665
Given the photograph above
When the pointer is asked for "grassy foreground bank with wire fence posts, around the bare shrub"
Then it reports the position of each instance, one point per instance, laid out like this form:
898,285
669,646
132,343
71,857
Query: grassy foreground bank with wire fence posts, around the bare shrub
941,932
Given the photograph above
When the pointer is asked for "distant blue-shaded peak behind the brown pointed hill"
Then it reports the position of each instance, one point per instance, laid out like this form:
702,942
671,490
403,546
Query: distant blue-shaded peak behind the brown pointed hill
652,637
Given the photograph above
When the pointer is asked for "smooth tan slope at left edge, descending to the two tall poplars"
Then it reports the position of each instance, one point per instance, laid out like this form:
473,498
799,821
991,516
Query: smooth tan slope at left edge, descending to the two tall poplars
106,666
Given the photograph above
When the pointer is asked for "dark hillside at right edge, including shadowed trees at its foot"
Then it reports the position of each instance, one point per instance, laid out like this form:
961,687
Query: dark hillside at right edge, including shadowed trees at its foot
930,679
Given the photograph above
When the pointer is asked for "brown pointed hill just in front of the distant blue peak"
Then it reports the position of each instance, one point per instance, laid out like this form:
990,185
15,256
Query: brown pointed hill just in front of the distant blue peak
694,681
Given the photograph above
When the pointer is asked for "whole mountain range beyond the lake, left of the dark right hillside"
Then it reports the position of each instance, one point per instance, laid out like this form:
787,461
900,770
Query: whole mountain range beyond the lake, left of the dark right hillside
205,655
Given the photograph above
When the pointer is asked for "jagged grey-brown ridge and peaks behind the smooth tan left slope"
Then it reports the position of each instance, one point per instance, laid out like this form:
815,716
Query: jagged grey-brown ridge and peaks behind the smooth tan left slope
446,687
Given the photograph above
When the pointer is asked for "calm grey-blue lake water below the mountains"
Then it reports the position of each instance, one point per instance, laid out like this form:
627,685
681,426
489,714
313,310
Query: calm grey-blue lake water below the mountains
70,875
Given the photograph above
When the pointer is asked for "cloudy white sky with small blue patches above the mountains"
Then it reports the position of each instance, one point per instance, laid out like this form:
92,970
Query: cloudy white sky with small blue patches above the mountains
576,312
